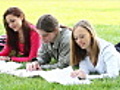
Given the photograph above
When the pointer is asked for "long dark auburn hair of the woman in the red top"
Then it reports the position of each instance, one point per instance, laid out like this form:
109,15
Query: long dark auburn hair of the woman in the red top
12,37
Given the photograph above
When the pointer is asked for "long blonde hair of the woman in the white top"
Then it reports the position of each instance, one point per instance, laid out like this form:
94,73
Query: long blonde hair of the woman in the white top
76,53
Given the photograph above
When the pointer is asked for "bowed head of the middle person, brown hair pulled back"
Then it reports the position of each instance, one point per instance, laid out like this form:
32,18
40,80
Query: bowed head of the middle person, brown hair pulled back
47,27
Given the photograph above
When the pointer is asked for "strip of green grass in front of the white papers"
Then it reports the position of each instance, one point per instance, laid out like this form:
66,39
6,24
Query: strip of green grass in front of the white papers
8,82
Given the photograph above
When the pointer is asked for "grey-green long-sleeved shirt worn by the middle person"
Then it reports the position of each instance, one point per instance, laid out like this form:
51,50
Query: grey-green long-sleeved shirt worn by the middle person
59,51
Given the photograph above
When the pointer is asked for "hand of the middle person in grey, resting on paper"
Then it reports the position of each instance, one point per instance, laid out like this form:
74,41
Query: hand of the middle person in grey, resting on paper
33,66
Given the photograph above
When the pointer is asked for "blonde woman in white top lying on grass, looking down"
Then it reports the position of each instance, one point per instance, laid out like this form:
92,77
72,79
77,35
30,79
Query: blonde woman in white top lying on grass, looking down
93,54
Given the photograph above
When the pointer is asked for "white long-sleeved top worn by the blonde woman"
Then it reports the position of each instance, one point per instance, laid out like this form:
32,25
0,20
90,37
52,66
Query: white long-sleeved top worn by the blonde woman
108,61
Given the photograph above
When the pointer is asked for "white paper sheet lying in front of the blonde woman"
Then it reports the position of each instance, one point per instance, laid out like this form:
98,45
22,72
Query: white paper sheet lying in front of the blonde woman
62,76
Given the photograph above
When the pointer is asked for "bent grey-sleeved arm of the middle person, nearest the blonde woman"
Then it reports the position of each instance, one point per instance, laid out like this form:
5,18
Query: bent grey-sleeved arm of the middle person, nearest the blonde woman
63,57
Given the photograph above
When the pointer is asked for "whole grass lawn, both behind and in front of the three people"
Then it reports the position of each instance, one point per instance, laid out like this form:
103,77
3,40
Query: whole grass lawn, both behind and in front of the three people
105,16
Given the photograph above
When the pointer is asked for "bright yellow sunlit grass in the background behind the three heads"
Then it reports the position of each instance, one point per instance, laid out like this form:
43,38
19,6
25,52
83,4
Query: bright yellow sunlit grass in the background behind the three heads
68,11
